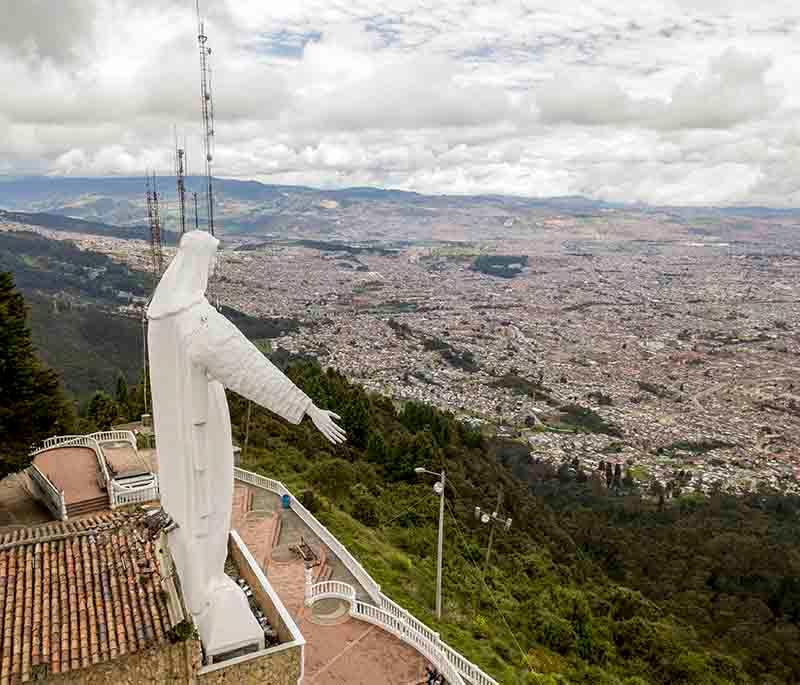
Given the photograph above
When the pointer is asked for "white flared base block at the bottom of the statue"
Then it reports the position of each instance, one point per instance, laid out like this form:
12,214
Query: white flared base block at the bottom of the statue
228,625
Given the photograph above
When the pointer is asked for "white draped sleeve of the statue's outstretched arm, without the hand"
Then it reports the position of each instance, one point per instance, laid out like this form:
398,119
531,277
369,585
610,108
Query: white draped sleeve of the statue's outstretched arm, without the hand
220,348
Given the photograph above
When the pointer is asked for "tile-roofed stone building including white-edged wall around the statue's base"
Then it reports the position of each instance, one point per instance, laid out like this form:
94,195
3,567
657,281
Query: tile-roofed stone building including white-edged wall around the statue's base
97,600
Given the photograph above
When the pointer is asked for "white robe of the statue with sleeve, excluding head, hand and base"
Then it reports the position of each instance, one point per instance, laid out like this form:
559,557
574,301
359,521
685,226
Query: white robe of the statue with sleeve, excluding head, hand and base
195,353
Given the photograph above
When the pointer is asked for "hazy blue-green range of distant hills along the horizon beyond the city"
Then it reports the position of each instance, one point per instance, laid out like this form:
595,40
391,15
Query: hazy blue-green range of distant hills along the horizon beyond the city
116,206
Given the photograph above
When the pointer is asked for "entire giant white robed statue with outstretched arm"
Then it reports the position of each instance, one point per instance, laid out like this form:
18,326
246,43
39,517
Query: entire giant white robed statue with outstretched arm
195,353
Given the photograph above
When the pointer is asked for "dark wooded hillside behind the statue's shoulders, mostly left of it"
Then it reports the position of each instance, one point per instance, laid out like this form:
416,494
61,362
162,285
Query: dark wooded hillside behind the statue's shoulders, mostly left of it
73,297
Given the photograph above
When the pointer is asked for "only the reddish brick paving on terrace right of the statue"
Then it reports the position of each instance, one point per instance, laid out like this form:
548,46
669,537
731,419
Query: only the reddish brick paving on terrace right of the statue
351,652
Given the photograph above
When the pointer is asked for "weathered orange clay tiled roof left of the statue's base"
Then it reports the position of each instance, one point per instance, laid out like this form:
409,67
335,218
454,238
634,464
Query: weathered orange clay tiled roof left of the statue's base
77,593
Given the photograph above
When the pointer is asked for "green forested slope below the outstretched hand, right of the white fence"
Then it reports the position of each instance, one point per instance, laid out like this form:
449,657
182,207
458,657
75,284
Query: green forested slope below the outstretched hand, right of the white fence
584,588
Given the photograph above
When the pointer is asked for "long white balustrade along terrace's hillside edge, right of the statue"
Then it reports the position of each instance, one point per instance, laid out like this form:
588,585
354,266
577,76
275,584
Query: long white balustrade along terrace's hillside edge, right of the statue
389,615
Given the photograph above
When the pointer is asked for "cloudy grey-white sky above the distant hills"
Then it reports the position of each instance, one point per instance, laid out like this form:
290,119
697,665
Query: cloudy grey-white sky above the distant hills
658,101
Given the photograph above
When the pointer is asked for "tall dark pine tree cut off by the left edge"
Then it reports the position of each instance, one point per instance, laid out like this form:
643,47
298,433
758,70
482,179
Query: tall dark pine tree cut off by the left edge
32,404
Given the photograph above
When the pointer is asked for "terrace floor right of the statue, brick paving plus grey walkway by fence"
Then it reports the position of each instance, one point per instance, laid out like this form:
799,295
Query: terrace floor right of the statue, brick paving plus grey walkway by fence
339,650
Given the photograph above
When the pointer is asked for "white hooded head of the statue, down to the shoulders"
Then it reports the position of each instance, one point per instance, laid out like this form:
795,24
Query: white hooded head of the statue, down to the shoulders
184,282
